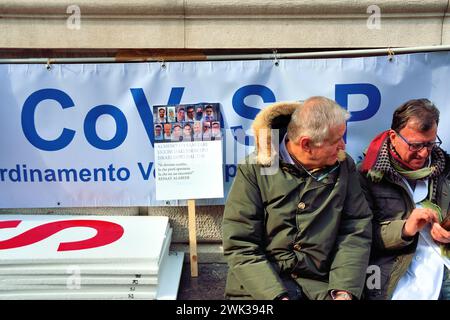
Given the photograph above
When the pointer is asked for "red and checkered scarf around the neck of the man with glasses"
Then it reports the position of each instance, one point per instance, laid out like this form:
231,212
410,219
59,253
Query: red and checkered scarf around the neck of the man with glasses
381,159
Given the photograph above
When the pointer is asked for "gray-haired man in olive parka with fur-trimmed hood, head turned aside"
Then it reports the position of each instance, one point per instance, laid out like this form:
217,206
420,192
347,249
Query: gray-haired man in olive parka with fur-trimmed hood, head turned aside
303,231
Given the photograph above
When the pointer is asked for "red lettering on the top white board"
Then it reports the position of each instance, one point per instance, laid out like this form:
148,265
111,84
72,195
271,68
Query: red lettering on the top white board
107,232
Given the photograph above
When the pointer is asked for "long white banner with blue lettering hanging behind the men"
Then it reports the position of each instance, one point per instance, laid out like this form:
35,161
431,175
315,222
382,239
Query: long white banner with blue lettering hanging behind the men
82,135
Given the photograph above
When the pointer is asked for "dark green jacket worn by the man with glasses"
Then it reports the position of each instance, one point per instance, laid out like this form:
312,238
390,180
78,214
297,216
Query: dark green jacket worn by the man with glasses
391,205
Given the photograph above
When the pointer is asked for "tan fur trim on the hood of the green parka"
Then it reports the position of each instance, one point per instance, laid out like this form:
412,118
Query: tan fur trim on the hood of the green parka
275,116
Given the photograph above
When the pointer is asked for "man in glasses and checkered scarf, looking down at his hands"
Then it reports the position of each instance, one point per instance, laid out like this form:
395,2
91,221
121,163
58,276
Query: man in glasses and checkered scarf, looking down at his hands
405,178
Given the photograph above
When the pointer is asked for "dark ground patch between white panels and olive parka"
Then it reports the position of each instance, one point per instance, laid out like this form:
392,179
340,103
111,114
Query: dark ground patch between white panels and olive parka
209,285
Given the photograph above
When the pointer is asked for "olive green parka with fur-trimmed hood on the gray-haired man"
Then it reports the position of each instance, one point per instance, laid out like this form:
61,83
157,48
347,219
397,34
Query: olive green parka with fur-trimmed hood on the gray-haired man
287,224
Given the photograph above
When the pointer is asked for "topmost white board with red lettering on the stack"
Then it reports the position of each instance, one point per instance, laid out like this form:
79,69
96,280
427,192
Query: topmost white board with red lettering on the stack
42,239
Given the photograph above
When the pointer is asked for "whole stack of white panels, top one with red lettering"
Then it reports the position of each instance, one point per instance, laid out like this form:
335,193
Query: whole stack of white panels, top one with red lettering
87,257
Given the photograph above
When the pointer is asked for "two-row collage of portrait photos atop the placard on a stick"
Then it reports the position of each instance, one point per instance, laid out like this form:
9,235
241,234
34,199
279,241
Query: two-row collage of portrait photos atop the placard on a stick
187,122
